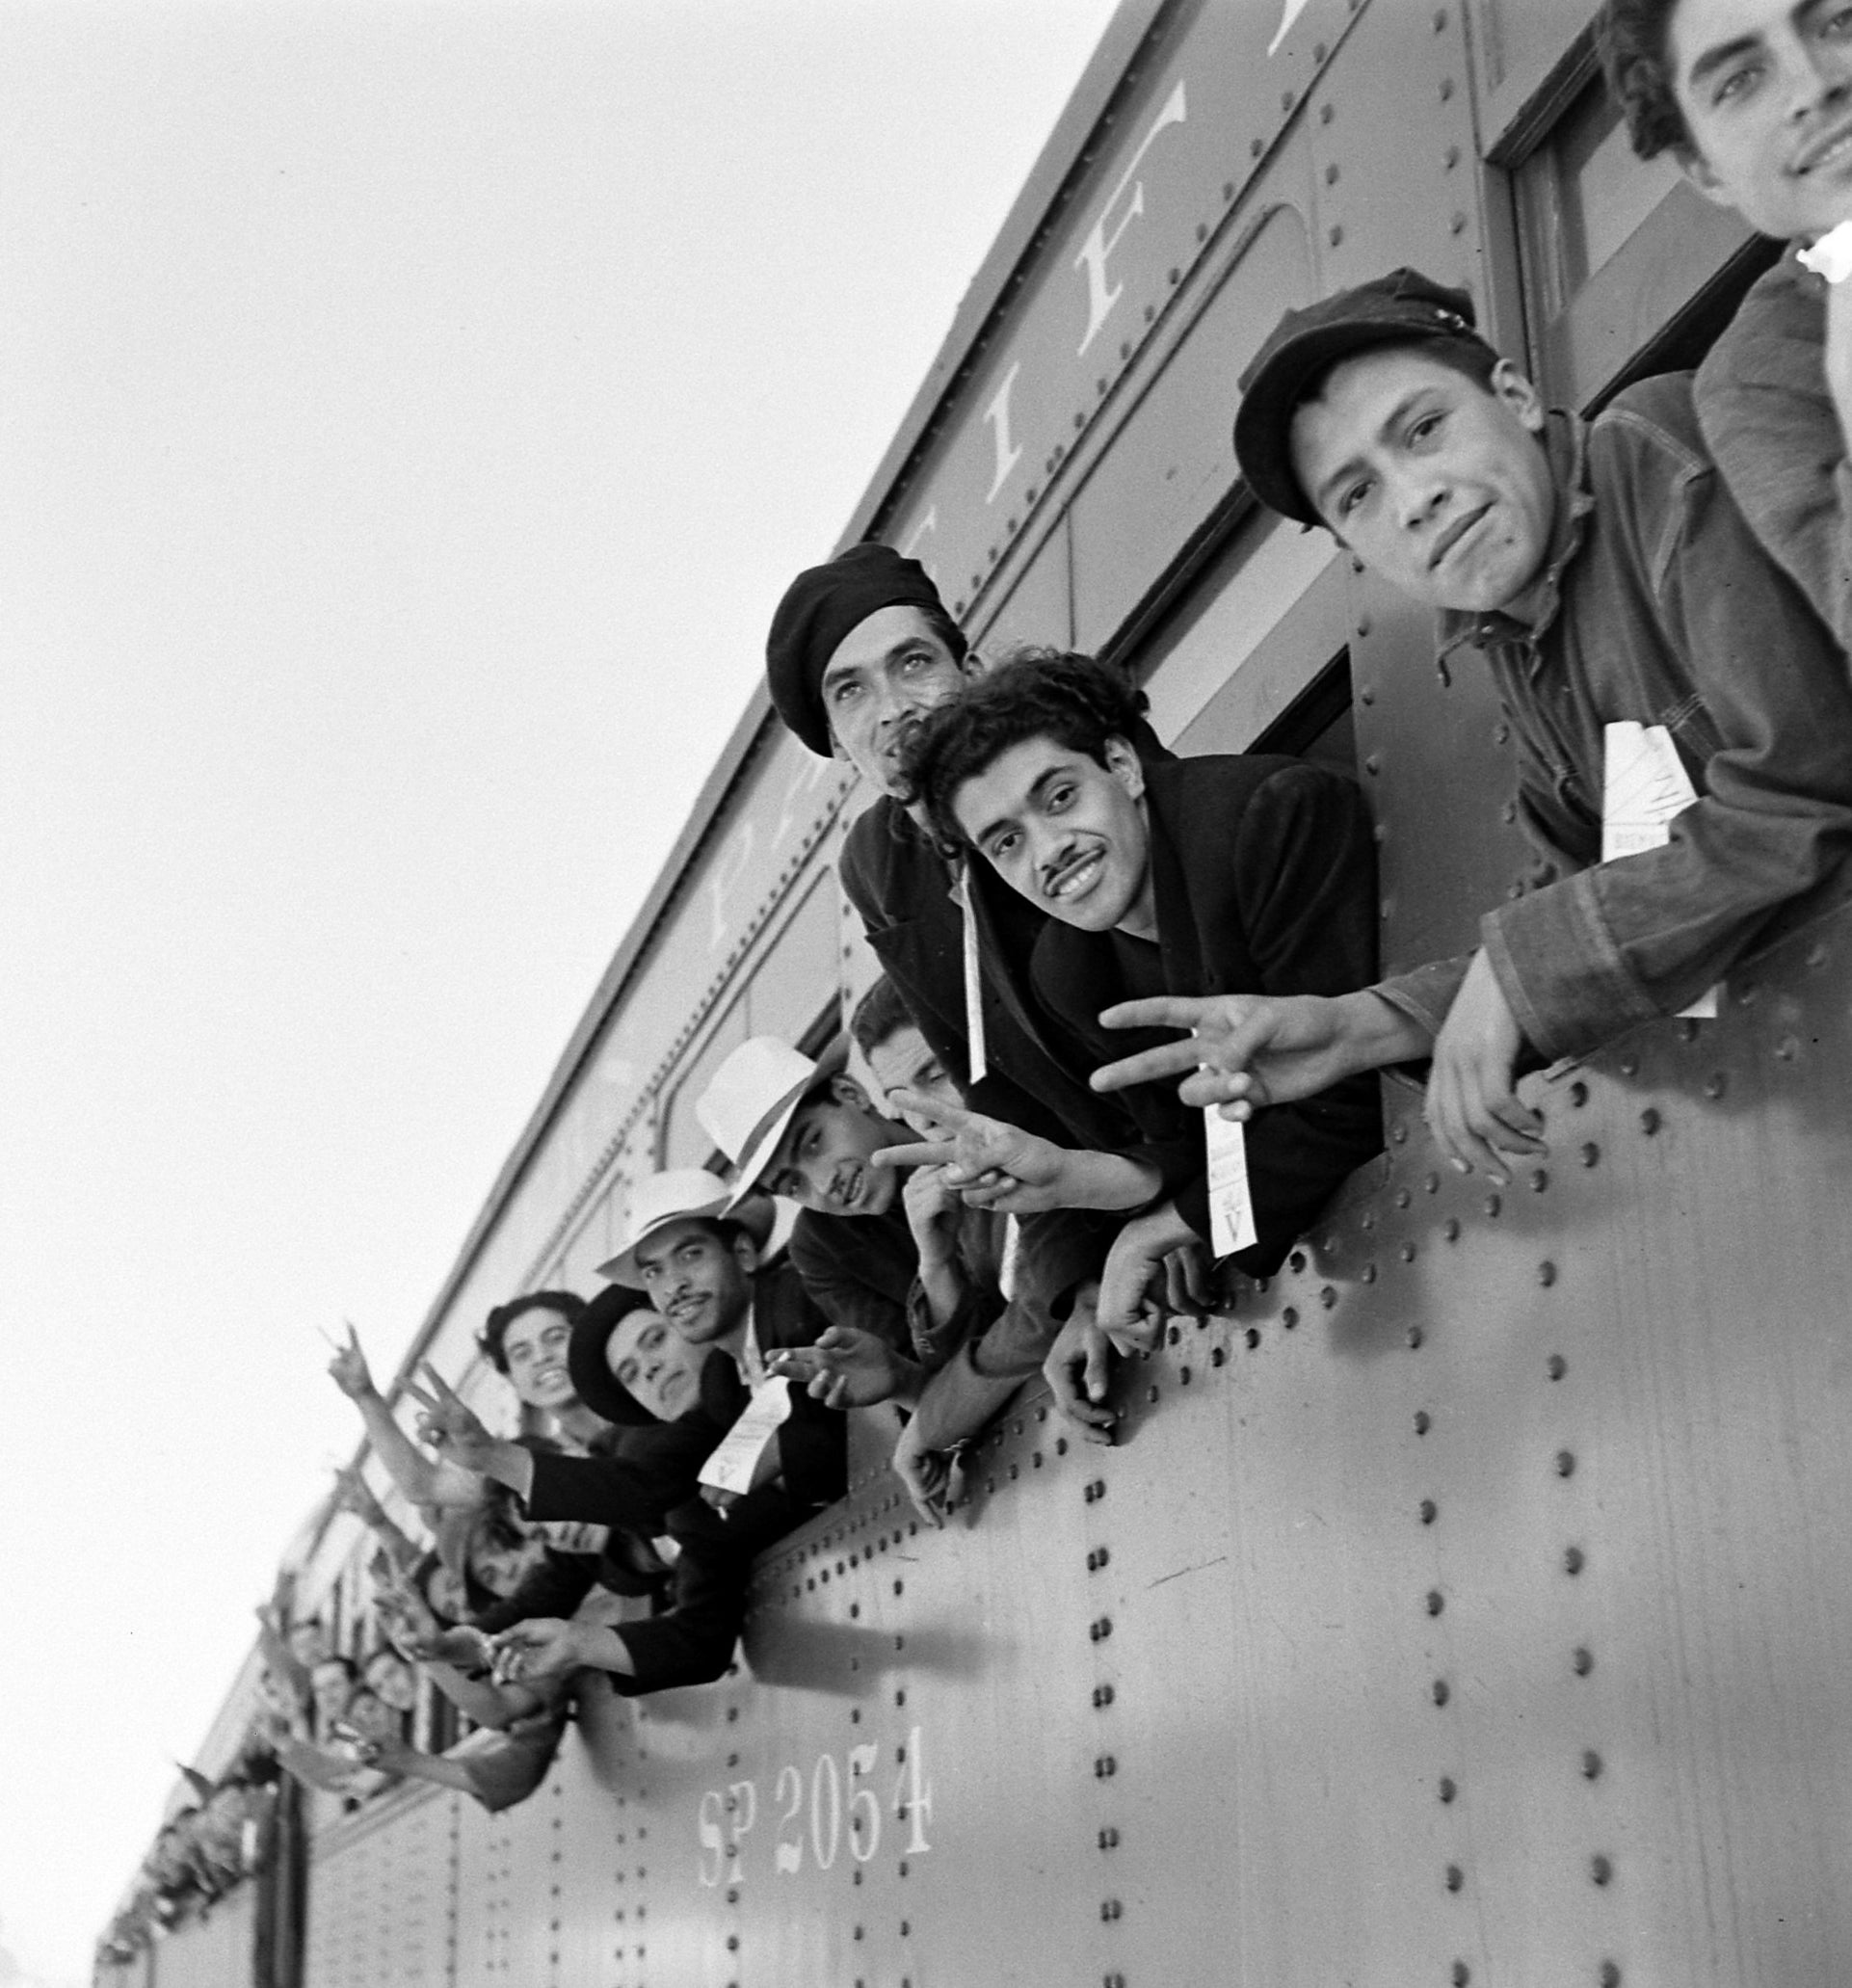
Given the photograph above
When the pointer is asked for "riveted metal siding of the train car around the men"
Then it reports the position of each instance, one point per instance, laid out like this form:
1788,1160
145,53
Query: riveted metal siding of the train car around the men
1469,1605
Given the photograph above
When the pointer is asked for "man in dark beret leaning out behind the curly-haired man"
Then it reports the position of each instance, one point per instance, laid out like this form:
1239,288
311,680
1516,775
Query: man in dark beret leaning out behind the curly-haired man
859,651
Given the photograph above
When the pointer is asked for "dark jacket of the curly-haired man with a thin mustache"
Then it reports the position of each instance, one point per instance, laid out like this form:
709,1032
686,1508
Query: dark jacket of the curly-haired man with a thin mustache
1265,884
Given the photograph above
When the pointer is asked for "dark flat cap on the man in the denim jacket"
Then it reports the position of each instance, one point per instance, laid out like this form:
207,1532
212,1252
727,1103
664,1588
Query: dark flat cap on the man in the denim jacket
1398,309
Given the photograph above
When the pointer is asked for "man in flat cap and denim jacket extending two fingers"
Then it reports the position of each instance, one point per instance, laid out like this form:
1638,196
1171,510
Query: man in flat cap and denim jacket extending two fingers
1638,637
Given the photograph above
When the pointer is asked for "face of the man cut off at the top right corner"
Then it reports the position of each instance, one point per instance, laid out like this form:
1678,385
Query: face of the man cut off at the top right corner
1766,88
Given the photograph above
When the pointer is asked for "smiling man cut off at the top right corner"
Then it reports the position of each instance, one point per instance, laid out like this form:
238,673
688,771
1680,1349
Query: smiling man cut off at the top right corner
1756,102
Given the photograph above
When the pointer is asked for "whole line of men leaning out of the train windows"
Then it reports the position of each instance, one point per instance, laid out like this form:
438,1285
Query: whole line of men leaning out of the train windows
1130,1021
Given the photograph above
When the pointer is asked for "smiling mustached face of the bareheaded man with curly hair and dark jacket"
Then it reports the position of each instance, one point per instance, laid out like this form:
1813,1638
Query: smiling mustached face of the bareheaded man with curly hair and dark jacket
1064,830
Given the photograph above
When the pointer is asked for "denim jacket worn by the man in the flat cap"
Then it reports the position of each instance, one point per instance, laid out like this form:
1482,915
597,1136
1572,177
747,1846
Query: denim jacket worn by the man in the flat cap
1656,607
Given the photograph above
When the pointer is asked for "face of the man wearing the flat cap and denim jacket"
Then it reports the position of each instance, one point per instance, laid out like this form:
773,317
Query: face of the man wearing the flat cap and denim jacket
1434,482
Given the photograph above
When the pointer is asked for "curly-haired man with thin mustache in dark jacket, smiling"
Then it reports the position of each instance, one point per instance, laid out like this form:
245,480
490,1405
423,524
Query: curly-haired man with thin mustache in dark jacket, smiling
1225,874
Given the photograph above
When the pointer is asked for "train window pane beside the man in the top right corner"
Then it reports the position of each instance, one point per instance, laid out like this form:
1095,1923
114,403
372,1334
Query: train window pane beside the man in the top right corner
1626,271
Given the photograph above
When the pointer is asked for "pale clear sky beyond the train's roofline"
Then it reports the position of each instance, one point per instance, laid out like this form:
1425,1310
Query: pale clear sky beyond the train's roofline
408,418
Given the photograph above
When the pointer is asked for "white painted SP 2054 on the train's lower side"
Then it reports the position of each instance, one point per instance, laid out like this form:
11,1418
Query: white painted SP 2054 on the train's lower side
816,1818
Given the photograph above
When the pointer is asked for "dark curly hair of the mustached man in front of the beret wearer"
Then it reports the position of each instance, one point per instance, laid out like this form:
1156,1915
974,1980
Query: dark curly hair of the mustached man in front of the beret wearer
1032,693
